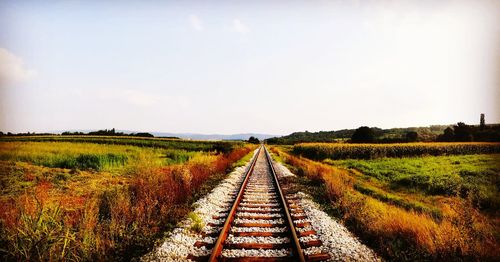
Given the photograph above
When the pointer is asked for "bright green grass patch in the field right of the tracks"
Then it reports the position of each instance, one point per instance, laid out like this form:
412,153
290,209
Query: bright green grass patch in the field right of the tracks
464,175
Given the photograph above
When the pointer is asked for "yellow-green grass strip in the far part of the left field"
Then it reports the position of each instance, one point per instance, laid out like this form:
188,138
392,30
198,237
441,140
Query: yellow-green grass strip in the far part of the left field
90,156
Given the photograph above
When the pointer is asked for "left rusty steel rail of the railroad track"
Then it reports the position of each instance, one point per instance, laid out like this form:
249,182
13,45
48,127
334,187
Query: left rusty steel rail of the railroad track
217,249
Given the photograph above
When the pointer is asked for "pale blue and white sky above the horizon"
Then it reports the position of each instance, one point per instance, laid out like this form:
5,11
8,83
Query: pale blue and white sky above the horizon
228,67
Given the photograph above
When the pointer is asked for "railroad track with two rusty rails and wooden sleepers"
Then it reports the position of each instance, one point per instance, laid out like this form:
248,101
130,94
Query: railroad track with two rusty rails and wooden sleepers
263,223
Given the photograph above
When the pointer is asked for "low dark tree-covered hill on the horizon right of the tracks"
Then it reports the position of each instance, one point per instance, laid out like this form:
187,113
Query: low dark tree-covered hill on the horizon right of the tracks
425,134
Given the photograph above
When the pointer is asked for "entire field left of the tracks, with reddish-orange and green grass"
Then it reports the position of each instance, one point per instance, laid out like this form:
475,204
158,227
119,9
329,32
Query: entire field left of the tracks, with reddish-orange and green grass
84,198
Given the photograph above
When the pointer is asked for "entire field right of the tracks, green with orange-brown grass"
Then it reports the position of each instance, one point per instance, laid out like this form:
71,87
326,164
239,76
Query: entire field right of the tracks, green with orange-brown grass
436,201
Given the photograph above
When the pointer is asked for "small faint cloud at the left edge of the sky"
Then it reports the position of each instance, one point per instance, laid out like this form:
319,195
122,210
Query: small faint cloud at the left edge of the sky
12,68
